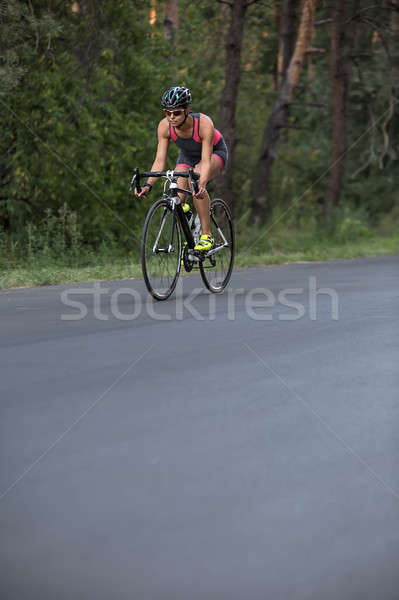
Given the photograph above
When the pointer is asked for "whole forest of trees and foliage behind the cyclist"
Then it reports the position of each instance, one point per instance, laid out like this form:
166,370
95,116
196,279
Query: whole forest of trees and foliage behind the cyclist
304,91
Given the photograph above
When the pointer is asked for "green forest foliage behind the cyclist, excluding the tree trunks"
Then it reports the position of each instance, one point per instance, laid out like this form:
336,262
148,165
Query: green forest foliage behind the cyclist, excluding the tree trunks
79,95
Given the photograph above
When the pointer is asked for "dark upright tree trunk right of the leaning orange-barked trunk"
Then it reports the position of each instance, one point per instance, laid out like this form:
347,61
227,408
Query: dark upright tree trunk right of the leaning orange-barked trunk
341,69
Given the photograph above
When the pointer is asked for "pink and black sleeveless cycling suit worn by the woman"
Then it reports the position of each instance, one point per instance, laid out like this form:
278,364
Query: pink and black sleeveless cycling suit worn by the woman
191,148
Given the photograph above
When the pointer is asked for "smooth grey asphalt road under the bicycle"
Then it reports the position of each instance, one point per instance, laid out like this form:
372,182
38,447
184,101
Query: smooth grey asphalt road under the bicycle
236,447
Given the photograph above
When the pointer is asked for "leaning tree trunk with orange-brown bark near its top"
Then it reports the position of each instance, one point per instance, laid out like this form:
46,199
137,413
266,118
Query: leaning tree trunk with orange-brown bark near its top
278,117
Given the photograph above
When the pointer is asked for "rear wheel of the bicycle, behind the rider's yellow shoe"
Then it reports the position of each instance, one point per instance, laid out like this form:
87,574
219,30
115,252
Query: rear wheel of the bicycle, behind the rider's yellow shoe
216,269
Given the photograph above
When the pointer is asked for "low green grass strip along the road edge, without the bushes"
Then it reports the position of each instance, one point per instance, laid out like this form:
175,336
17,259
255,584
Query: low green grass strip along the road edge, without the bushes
253,249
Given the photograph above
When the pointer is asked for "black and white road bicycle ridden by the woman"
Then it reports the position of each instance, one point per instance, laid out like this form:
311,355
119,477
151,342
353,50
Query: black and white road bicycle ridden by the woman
164,251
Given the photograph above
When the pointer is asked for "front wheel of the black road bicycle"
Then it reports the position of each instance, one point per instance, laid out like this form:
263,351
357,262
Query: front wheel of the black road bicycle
161,250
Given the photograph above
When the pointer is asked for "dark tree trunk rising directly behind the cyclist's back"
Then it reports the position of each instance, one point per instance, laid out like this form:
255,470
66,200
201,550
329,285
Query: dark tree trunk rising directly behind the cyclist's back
227,110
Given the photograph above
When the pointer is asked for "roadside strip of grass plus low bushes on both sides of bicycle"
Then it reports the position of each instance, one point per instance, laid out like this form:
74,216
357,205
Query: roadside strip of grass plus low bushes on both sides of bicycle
54,252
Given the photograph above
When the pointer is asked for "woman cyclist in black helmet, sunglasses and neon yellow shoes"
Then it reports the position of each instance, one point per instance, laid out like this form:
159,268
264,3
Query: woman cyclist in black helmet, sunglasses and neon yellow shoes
201,147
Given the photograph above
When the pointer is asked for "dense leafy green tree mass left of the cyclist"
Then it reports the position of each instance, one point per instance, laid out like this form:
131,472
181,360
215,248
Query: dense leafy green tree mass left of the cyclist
74,121
